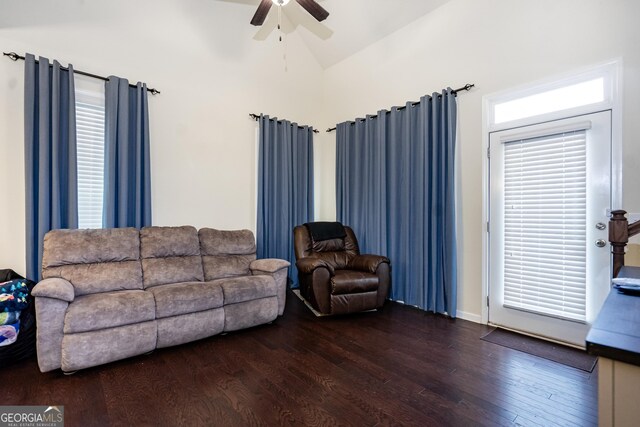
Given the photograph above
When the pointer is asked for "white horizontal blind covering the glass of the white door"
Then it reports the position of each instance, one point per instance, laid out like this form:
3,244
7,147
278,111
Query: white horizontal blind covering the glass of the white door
545,225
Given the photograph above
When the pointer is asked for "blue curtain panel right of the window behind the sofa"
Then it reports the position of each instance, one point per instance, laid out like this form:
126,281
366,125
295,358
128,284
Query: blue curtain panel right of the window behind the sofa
127,180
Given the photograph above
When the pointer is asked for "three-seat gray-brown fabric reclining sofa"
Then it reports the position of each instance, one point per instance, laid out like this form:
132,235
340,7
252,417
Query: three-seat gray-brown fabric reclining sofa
115,293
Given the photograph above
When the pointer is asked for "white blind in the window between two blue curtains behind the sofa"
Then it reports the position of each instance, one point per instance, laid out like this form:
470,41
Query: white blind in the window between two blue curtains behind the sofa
90,134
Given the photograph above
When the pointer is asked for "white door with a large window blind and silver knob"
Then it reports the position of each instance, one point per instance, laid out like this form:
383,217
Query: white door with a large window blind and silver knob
550,191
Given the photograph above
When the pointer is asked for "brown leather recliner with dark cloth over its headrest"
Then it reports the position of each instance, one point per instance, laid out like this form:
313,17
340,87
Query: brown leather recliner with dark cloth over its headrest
334,277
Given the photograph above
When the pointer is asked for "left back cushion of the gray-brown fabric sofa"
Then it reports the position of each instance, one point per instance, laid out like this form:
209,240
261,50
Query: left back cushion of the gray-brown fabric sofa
94,261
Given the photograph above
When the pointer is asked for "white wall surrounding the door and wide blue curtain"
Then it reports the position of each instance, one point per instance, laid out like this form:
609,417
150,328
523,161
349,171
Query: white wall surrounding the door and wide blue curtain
496,44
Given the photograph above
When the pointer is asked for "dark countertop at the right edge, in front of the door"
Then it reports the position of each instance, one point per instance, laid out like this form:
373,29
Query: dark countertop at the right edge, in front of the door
616,332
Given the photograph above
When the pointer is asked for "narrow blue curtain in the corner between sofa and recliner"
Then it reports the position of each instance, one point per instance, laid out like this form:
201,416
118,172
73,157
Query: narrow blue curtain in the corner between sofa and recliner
285,187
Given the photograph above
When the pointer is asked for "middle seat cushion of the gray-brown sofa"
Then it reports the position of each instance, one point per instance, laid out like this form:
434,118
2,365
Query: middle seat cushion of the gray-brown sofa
181,298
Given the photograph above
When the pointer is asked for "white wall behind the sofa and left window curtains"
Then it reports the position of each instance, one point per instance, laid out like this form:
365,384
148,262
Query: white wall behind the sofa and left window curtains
211,72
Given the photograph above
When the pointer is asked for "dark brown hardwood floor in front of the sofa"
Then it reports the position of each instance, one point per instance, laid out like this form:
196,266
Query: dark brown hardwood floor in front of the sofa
398,367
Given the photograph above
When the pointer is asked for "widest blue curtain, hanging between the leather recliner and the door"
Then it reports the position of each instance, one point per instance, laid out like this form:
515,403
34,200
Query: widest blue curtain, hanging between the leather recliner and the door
395,187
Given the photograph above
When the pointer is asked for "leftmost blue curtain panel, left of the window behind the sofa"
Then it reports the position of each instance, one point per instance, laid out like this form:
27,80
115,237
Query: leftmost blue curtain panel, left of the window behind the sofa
50,155
